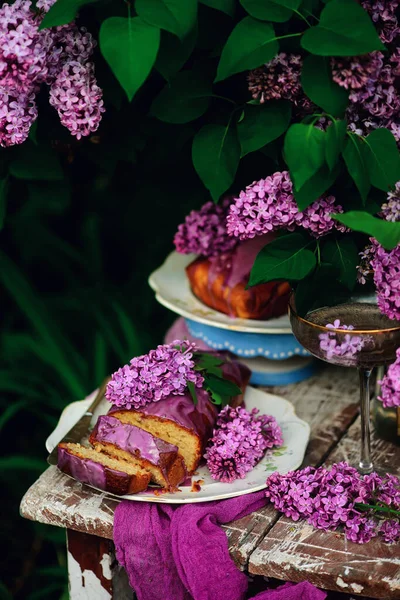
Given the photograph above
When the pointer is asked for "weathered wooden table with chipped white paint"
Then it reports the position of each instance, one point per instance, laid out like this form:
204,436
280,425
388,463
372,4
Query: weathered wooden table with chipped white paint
263,543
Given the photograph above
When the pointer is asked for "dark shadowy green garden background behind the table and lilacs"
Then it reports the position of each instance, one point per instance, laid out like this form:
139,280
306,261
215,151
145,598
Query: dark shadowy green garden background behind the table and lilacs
75,255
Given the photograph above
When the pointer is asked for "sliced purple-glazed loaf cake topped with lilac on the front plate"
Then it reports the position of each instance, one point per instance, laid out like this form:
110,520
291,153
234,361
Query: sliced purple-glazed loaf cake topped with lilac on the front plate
162,416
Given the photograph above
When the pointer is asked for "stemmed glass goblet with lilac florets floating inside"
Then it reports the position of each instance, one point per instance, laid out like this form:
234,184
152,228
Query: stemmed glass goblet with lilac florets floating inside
354,334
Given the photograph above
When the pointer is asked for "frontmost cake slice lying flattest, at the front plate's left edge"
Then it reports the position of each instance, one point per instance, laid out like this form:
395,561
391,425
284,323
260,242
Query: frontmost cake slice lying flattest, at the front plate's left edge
101,471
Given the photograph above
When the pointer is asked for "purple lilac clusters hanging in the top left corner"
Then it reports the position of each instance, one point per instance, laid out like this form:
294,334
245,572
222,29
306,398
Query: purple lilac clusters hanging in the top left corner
29,58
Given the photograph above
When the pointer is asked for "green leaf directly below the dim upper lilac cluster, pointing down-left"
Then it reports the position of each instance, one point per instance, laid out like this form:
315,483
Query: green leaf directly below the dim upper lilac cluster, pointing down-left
263,124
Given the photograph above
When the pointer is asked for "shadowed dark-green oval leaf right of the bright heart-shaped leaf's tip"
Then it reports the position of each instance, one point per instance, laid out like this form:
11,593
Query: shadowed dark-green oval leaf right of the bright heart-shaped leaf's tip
186,98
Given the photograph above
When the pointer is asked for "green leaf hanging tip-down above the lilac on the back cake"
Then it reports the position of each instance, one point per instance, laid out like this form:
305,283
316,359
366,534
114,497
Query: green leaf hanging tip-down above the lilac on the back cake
216,155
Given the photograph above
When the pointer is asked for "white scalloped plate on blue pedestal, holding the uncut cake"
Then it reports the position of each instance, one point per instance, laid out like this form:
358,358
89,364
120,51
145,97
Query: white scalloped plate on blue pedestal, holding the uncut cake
172,289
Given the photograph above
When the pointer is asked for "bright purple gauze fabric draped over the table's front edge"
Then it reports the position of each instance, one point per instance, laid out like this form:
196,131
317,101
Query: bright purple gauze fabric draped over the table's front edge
181,552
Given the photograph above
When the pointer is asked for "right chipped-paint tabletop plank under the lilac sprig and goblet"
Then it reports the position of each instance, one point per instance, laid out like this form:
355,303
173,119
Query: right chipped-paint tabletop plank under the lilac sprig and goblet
298,552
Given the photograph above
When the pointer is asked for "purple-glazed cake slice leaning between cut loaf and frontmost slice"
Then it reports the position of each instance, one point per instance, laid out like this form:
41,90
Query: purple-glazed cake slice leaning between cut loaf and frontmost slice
138,447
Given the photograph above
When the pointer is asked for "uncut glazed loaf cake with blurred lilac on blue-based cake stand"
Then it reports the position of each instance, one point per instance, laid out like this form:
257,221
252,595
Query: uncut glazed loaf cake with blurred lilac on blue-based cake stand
219,275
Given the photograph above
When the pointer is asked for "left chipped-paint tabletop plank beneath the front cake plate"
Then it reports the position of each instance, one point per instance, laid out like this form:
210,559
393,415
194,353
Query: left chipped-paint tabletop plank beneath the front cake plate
324,400
